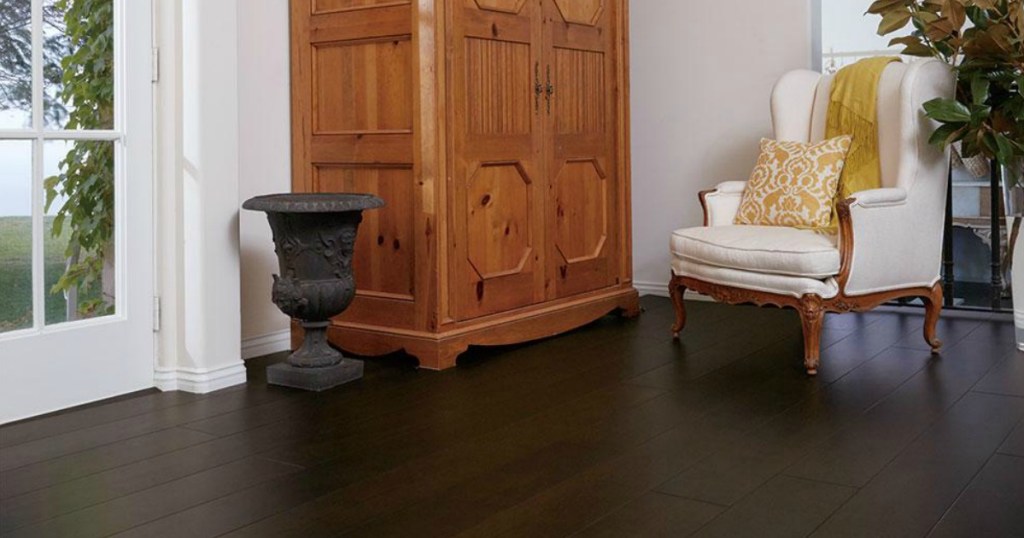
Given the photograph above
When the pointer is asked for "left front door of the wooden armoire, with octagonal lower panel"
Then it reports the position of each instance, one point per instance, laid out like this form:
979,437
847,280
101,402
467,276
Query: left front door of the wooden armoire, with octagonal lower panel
497,233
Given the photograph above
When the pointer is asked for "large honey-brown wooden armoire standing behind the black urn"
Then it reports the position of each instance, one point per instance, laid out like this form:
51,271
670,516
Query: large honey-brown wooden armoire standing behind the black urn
498,134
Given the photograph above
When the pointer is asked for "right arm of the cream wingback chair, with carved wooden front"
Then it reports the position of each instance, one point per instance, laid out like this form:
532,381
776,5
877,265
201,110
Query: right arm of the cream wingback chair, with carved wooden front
886,243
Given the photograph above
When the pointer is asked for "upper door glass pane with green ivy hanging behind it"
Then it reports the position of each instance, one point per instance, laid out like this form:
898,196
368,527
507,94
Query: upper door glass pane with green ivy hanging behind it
79,71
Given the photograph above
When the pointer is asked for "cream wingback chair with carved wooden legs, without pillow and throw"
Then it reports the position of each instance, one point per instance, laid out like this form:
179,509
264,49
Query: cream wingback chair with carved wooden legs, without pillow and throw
890,239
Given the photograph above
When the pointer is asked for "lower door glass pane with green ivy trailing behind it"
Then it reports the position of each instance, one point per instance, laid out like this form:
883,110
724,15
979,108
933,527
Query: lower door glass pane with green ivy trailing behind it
79,235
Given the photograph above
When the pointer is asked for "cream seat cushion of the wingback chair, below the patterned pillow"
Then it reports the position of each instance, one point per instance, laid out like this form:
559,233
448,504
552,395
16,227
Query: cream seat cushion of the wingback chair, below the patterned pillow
771,251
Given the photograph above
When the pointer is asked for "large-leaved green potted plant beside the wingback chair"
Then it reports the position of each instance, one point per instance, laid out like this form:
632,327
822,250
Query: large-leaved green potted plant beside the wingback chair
984,42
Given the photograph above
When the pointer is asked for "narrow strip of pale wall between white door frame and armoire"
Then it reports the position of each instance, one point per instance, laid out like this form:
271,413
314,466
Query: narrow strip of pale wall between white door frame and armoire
265,162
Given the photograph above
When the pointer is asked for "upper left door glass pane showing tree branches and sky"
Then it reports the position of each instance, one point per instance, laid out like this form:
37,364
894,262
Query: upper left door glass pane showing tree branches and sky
16,64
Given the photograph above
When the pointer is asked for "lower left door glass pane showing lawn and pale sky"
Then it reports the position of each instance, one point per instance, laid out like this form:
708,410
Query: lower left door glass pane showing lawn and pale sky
16,235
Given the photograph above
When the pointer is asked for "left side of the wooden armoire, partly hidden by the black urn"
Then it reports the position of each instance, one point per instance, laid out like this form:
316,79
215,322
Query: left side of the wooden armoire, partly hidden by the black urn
358,122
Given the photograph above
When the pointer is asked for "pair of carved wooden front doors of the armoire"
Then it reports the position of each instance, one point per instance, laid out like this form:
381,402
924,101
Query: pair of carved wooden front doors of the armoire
534,152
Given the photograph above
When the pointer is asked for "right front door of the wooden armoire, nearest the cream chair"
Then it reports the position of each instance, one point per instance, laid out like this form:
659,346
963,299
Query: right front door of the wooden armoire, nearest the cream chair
581,154
